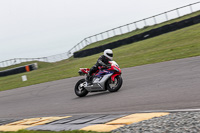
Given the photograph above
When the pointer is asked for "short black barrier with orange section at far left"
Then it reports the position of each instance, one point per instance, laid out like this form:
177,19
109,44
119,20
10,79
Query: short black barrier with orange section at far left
18,70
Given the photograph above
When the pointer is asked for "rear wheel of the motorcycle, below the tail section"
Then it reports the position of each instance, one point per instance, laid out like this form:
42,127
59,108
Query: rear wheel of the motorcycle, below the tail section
79,88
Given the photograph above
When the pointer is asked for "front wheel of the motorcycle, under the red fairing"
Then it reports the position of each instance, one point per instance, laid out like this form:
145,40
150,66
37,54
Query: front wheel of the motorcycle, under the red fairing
114,86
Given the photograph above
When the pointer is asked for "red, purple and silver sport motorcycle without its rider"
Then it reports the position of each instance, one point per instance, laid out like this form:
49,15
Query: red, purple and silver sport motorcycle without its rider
106,78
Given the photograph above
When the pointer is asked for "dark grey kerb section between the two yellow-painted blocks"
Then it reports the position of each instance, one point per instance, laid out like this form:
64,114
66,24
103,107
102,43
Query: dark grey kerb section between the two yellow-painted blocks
76,122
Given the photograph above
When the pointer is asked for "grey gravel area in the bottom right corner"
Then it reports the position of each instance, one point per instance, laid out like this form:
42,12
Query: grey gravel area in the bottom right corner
181,122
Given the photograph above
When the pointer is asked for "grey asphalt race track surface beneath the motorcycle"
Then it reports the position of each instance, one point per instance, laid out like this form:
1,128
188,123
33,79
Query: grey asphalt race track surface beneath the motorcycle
162,86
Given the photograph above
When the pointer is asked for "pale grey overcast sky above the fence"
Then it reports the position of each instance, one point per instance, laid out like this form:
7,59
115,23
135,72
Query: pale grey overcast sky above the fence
39,28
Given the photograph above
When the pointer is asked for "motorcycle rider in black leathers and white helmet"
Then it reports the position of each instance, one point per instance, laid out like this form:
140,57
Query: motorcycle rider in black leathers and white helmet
102,61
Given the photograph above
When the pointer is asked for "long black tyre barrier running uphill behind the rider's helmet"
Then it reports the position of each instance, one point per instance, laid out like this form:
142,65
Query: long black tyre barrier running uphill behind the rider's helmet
140,37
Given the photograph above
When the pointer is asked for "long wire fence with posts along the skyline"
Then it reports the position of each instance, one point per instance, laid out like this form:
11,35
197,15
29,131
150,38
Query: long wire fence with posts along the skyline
150,21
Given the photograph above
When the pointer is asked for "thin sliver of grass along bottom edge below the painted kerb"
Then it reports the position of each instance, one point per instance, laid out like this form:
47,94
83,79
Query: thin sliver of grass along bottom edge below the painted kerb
75,131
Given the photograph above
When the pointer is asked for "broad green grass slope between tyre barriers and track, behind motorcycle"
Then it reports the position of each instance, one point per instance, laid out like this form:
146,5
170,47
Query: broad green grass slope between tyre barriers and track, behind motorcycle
174,45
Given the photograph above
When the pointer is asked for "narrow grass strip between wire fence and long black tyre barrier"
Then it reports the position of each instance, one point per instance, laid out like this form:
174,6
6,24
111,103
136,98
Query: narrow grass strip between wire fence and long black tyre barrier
138,31
